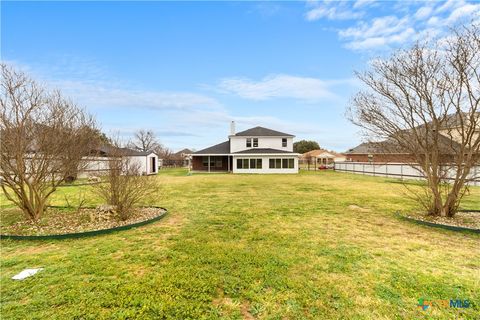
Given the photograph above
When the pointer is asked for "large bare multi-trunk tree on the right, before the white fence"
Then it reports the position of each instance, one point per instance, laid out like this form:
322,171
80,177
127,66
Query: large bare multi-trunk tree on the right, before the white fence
425,102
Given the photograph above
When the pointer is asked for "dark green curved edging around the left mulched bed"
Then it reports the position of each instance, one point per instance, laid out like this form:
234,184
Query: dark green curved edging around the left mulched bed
86,233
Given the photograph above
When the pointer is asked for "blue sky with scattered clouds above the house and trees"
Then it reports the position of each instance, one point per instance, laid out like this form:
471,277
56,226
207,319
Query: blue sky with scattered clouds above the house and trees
186,69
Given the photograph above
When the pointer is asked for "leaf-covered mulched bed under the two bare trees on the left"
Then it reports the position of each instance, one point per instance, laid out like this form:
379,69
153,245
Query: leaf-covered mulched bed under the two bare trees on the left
63,221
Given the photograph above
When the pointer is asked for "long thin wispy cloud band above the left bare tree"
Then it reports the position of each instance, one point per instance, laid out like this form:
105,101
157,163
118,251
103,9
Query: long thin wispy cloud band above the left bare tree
89,85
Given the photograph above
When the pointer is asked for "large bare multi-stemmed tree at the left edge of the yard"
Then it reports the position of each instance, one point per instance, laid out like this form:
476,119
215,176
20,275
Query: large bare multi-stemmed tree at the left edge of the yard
43,138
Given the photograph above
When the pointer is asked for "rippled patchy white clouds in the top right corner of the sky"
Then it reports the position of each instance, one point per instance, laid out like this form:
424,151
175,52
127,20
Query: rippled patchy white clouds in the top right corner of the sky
412,21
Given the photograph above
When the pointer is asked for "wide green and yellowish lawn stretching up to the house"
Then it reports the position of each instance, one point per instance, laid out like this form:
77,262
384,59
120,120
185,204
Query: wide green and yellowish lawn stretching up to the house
318,245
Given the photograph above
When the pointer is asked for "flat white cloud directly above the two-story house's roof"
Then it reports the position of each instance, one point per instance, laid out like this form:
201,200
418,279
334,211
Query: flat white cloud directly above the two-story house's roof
280,86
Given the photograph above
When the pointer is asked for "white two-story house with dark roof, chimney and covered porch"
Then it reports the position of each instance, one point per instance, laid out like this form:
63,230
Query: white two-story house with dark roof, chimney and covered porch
256,150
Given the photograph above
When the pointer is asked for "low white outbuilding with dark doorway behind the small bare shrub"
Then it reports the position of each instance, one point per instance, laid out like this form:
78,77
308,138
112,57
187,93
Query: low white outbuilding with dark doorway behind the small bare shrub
98,162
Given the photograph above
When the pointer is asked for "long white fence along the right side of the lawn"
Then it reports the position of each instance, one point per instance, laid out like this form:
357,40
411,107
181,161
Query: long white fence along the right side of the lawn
394,170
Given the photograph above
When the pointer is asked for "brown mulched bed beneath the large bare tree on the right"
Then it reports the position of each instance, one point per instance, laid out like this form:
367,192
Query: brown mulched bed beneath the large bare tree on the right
462,219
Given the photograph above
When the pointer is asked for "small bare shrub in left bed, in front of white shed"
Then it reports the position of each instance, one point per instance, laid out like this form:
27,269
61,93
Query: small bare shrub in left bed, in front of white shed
125,187
